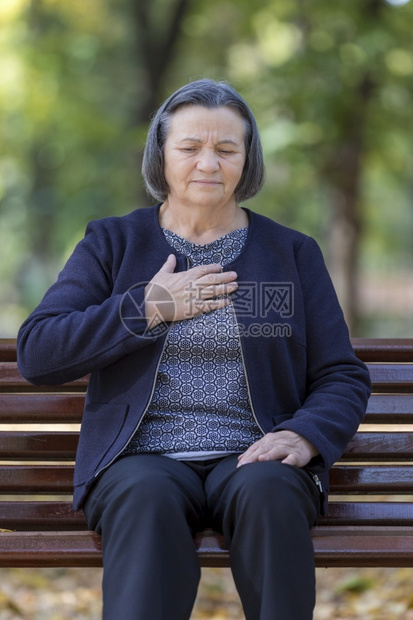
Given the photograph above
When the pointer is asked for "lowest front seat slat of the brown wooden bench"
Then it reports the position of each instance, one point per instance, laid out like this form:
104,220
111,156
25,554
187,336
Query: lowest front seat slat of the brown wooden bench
341,547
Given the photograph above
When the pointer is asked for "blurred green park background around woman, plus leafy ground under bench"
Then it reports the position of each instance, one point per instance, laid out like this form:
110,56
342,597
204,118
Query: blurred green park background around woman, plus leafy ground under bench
331,86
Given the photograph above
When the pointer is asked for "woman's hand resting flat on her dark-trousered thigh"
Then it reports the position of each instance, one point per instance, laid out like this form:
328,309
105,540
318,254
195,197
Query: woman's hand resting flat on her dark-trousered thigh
285,446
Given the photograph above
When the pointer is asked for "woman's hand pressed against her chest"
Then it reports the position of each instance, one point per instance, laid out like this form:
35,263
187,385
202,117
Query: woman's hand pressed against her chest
173,296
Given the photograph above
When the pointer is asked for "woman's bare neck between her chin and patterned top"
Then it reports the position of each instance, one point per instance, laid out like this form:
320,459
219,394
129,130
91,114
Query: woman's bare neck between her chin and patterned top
201,225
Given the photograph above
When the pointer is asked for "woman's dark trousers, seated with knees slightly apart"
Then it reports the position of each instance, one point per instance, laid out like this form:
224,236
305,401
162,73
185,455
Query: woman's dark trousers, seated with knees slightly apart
147,508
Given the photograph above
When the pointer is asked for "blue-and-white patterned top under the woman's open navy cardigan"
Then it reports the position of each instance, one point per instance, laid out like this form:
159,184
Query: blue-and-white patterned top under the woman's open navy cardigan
200,406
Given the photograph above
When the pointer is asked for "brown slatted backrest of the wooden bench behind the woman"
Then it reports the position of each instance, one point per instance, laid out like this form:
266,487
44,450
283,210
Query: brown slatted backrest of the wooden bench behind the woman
39,432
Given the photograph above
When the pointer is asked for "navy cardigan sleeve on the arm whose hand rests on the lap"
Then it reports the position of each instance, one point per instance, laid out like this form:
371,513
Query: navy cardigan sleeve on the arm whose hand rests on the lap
338,383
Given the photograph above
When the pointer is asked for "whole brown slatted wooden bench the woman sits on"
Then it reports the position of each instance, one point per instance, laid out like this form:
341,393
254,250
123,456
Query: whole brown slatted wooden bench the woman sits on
370,517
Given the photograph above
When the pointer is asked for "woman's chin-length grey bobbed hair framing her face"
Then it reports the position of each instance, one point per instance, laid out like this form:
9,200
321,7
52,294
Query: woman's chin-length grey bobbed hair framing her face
208,94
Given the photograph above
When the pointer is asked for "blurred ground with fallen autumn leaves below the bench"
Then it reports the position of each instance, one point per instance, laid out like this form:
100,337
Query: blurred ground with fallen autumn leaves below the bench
75,593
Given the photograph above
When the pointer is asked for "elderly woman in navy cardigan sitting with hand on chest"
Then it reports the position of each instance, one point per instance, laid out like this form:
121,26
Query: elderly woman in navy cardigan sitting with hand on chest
223,385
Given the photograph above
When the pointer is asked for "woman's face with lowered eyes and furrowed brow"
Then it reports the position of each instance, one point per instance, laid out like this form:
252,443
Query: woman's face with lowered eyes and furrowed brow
204,156
